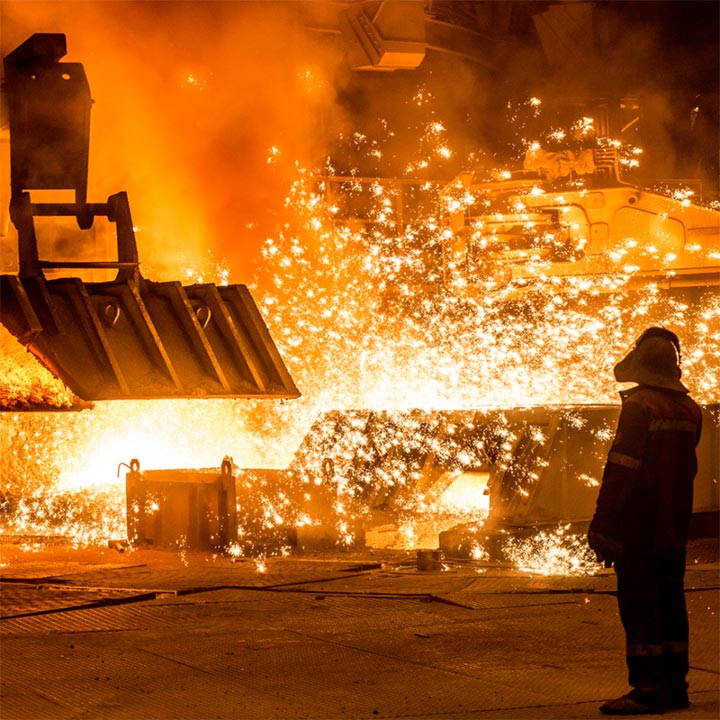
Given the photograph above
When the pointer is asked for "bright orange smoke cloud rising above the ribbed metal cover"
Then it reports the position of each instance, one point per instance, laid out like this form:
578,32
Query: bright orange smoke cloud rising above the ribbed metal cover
201,112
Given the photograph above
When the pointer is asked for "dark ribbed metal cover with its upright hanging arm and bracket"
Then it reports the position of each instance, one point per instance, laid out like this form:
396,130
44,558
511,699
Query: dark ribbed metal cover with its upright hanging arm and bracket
129,337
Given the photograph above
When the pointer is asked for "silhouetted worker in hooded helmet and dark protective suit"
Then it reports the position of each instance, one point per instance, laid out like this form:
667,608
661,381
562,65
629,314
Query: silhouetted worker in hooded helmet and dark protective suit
642,518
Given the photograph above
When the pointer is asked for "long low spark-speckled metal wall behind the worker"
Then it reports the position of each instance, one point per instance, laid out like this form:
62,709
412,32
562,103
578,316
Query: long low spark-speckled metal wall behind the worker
515,470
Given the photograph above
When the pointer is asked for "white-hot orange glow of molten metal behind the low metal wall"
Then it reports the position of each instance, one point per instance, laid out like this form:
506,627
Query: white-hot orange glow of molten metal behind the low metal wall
354,334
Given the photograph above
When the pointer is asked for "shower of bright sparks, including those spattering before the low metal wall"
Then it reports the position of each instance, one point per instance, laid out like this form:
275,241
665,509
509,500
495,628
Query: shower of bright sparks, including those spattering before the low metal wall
369,314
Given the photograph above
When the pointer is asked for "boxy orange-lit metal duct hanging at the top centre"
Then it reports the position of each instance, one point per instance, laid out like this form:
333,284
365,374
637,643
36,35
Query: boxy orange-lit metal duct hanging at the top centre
386,35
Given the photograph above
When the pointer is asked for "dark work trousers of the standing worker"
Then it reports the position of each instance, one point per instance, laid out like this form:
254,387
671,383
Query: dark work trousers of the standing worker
651,600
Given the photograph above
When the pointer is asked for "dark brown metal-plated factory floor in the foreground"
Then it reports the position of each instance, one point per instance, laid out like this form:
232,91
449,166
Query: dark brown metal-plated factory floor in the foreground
145,635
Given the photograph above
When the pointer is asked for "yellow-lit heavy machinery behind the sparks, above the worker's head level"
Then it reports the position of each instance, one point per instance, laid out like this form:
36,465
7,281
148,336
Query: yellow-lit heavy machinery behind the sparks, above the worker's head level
525,230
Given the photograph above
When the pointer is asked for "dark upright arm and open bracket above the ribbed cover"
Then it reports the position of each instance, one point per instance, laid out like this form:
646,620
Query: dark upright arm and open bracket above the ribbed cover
49,115
